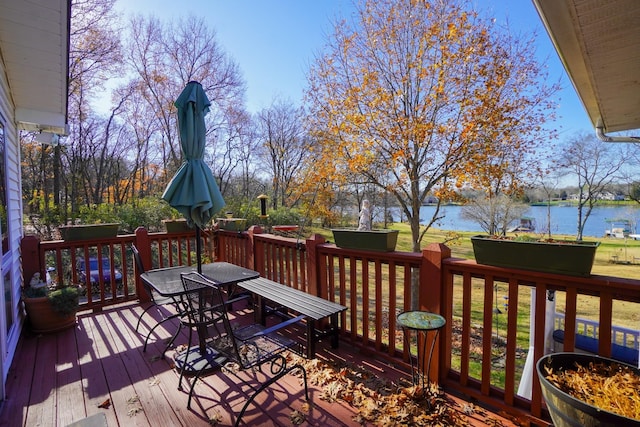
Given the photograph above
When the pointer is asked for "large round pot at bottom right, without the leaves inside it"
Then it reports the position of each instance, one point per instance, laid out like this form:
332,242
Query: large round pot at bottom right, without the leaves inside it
568,411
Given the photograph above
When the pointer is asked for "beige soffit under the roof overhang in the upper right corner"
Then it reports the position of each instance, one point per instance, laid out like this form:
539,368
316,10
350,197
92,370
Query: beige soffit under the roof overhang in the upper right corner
599,43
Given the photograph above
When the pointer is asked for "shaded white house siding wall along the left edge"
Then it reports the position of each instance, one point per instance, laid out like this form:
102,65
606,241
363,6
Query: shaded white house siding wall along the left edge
11,267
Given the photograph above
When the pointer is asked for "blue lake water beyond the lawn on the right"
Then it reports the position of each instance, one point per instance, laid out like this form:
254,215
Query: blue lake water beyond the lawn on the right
563,219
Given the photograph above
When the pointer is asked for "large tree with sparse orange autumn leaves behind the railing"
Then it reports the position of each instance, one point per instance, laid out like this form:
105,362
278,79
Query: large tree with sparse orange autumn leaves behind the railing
423,98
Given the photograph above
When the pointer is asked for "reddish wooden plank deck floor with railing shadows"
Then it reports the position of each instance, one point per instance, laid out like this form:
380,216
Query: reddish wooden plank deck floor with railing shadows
98,367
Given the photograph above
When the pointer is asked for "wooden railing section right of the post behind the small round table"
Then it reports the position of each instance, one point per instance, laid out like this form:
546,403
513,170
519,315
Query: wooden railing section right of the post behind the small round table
478,333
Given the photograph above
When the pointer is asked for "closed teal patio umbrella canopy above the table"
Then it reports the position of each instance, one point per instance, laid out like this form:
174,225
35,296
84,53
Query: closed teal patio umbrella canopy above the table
193,190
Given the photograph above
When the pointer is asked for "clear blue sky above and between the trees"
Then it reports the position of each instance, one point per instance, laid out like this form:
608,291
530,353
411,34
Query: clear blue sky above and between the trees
274,41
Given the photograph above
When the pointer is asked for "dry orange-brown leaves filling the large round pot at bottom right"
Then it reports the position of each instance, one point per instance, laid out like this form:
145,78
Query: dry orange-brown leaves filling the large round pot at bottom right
612,387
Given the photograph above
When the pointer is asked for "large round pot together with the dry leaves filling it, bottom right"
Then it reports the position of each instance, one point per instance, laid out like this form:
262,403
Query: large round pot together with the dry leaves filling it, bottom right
589,390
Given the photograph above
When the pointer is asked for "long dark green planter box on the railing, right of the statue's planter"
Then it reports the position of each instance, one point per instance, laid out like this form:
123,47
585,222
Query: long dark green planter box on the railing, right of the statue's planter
560,257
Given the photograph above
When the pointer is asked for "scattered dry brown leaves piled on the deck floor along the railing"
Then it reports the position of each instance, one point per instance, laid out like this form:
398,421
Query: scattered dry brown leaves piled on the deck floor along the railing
379,401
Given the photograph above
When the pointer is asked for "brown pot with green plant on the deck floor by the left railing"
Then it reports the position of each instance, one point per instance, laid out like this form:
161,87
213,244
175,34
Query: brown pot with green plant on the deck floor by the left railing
50,309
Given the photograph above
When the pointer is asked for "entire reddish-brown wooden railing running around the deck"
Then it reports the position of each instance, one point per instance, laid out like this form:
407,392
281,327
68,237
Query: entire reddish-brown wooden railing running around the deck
485,343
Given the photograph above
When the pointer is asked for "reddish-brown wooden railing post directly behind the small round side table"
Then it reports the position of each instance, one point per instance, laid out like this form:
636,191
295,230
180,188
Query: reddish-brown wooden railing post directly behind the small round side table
430,298
